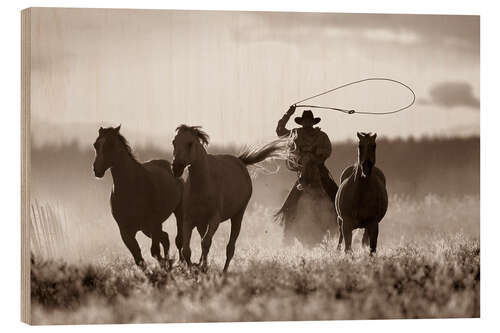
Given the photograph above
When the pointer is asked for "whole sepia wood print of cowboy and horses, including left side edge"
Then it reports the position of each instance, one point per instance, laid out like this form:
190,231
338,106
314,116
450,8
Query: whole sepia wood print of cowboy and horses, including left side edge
185,166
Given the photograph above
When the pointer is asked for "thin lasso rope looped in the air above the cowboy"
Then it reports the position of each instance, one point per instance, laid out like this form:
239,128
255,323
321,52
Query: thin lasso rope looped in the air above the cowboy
352,111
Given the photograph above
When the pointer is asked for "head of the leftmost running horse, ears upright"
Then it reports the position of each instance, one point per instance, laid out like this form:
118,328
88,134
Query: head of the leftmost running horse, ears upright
106,150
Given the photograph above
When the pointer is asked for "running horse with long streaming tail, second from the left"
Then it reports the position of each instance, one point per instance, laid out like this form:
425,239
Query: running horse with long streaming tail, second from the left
218,188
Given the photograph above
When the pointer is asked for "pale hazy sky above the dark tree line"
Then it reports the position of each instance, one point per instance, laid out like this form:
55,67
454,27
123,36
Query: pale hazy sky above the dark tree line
235,73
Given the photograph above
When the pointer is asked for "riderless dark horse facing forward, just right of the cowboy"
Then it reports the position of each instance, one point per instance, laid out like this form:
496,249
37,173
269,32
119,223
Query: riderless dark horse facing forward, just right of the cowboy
361,201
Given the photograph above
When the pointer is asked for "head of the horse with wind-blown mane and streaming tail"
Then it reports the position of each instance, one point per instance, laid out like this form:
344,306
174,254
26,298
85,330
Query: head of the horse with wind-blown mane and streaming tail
188,144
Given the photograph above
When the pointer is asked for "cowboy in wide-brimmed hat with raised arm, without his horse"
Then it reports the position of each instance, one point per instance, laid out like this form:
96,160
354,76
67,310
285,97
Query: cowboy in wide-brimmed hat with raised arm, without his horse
312,148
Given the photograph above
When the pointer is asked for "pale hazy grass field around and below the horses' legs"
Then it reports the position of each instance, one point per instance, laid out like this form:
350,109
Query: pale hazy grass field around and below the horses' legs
427,266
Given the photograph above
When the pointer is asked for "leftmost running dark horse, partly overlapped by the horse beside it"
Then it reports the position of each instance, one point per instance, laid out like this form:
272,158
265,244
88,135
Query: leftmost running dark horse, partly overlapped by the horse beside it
144,195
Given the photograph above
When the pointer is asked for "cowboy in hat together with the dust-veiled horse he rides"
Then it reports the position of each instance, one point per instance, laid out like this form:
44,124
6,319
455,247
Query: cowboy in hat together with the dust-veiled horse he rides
310,147
